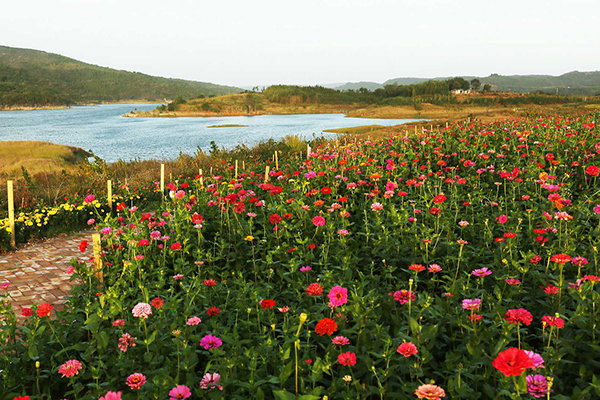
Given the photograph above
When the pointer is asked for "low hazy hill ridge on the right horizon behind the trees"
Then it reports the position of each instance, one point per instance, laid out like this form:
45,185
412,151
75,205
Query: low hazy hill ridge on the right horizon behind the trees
571,83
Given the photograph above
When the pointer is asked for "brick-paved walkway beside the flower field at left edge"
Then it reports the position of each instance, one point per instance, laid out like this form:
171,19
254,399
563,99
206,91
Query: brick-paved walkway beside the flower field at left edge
37,272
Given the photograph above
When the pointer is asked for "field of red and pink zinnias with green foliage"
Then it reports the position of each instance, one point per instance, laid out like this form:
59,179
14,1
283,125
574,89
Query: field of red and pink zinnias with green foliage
455,264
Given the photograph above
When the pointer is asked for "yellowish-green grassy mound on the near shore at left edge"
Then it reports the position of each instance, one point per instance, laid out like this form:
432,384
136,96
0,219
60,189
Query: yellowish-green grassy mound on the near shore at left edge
37,157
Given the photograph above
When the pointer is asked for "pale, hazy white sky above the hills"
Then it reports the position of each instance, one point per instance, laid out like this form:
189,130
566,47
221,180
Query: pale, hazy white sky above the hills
259,42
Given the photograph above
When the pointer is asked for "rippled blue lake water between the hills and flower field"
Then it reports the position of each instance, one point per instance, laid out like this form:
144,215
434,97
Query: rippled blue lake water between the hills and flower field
112,137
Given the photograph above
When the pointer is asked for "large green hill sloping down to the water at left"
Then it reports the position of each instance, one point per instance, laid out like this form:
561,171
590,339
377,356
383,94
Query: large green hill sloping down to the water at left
37,78
